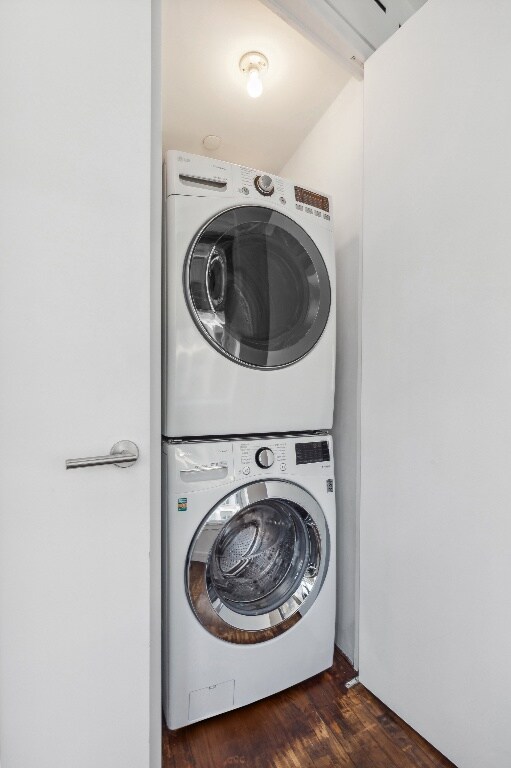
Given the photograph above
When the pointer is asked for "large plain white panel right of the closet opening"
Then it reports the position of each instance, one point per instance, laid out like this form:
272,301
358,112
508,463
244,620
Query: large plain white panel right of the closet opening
435,602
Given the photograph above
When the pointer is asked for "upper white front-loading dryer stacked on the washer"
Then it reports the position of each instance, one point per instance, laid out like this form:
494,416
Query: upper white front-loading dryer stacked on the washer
249,307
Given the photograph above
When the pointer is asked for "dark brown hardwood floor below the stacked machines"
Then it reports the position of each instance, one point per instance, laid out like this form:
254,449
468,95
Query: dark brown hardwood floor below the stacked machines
317,724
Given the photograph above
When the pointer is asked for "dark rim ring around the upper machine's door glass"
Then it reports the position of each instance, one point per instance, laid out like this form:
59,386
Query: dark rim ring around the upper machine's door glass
318,263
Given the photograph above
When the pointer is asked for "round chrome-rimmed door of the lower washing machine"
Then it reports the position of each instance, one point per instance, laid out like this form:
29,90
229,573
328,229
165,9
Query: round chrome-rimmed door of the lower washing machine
258,561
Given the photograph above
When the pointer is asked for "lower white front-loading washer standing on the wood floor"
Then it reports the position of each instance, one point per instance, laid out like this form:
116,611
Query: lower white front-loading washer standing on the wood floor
249,570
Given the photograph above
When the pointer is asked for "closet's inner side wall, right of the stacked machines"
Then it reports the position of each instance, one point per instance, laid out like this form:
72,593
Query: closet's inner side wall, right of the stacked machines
330,160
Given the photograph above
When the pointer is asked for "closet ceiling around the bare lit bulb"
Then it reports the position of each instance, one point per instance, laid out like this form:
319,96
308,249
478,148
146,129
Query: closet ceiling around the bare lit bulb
204,91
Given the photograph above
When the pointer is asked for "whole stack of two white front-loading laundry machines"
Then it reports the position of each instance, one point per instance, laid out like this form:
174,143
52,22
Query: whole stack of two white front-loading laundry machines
249,505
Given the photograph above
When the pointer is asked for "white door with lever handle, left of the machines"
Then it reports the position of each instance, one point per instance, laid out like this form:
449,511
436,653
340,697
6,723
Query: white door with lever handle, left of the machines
75,352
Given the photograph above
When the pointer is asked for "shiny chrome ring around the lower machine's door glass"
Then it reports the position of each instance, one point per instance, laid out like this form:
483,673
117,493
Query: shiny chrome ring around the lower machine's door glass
297,604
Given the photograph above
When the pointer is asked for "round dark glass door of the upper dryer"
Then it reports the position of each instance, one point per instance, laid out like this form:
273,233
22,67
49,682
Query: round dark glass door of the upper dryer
257,287
